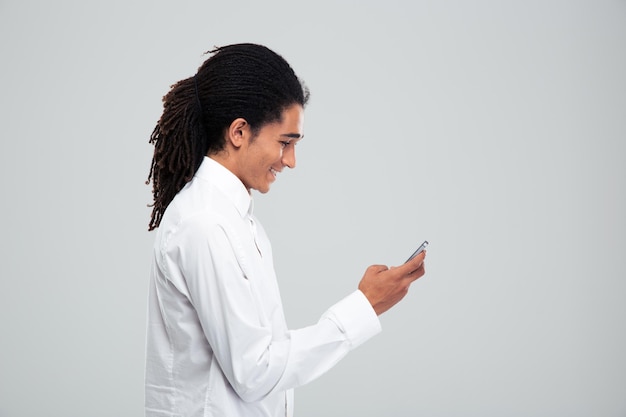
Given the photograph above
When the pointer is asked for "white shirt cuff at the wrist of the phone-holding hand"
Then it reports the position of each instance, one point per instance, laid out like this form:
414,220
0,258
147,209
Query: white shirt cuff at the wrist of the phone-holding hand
356,318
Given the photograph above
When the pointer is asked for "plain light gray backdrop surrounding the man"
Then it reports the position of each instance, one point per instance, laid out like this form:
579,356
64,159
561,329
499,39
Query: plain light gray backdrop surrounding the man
494,129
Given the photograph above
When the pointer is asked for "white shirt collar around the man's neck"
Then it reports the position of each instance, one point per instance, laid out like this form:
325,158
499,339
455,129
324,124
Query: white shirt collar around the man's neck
228,183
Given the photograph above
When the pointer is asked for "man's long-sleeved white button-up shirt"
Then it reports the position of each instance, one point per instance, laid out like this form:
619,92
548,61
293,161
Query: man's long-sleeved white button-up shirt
217,341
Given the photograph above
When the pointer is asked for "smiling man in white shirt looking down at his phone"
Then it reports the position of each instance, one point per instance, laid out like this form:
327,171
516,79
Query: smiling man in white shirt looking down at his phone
217,341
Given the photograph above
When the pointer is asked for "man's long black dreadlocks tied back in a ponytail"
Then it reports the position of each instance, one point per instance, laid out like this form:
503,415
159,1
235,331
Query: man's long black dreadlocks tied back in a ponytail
242,80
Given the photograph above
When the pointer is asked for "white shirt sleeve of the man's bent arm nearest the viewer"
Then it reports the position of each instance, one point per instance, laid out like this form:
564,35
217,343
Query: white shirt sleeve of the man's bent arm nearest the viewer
253,357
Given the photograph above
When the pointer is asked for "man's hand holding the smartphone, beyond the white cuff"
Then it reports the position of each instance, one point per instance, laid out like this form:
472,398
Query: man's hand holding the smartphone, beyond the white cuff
385,287
